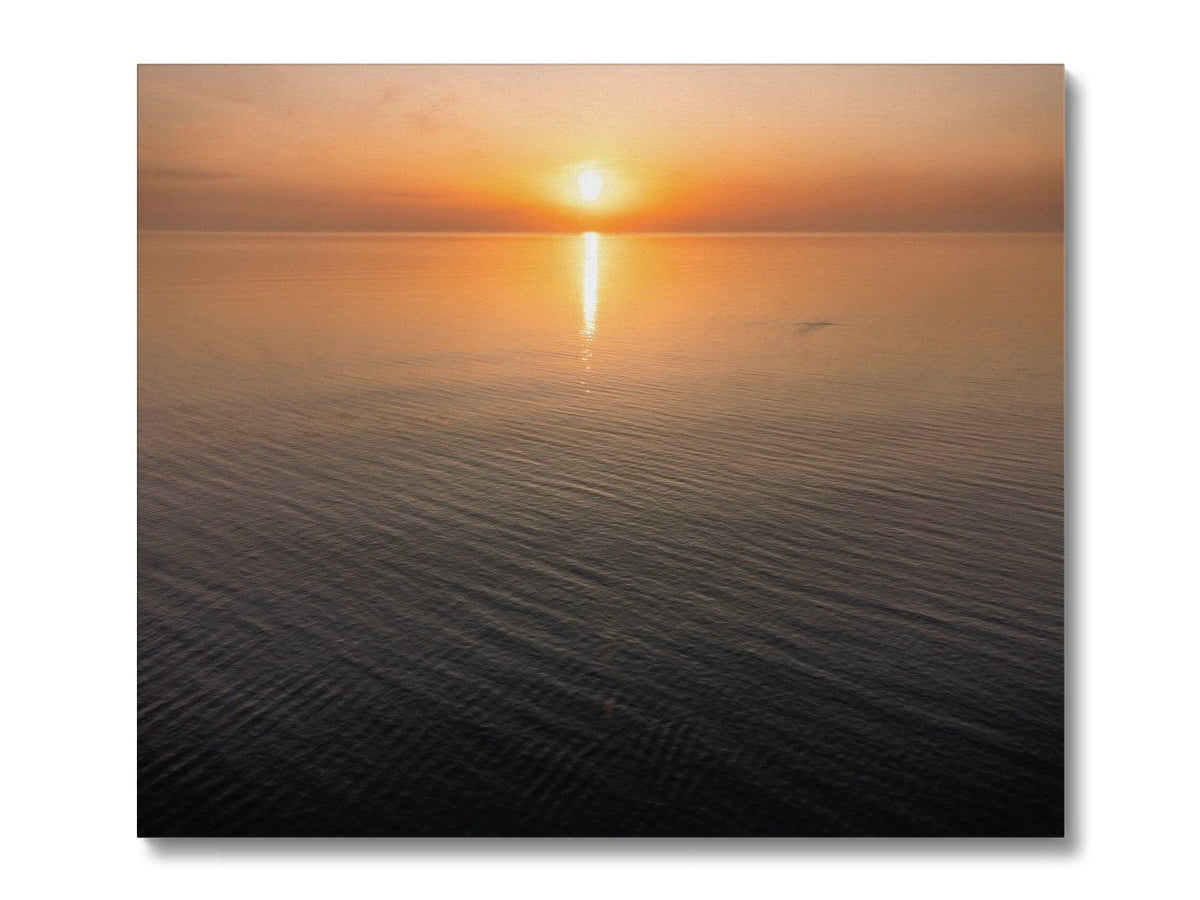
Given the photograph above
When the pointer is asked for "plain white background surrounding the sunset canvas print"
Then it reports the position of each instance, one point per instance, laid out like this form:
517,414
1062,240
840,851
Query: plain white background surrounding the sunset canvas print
69,800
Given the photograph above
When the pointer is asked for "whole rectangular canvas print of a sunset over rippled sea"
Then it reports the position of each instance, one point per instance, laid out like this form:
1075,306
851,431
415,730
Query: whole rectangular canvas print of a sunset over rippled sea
601,451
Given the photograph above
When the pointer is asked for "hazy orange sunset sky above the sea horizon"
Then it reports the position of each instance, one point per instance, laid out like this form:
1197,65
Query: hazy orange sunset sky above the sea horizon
663,148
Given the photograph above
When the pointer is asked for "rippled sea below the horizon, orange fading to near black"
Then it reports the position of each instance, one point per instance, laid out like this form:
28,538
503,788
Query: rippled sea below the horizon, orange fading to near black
569,536
